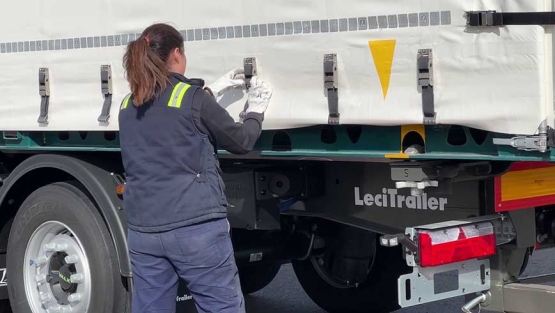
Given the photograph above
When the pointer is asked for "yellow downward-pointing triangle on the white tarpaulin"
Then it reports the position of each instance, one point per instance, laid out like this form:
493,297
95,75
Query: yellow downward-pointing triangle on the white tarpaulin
382,53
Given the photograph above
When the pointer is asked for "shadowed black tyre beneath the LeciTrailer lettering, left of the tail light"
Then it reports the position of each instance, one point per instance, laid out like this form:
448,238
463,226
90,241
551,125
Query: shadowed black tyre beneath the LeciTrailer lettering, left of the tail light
378,294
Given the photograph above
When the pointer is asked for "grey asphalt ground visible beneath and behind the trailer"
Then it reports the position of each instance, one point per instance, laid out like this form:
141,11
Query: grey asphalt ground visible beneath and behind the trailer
285,294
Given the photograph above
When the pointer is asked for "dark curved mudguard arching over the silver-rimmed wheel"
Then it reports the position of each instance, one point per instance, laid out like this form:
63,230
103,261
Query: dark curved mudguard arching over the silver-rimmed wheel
92,174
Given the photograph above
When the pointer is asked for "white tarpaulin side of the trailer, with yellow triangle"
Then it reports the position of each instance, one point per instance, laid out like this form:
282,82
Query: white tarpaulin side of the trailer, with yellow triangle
499,79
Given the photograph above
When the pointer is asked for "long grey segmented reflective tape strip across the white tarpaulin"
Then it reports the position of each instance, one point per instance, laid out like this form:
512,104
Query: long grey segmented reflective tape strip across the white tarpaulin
229,32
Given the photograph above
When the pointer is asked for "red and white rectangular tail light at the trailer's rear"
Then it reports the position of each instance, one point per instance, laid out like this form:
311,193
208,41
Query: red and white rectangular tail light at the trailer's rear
456,244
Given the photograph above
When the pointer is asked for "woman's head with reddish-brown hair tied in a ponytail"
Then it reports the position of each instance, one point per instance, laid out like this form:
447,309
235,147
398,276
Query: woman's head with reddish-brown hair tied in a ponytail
151,58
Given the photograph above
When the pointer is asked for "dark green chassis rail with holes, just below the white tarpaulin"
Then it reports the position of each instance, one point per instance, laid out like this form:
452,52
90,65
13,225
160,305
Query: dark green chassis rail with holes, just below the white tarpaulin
354,143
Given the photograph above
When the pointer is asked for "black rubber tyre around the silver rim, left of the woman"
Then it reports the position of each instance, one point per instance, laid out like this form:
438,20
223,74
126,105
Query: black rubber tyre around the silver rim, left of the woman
66,203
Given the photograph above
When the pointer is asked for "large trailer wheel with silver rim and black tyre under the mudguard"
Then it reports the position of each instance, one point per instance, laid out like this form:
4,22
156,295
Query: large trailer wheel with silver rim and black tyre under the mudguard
61,256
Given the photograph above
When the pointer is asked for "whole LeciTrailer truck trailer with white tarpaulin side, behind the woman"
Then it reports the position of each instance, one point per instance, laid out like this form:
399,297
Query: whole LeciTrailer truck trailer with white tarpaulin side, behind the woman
406,141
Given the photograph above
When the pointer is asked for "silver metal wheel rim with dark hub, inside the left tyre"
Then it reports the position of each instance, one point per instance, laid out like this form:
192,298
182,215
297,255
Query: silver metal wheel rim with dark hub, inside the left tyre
56,271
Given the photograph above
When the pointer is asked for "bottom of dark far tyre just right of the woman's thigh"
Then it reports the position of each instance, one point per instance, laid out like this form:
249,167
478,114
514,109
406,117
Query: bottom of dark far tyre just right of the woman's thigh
255,278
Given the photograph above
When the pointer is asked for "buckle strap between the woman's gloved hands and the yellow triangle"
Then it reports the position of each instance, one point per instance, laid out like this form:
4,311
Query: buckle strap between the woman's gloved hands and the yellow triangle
331,87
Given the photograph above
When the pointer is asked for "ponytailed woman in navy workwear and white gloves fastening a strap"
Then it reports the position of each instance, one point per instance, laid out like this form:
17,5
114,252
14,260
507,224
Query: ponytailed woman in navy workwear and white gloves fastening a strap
174,196
